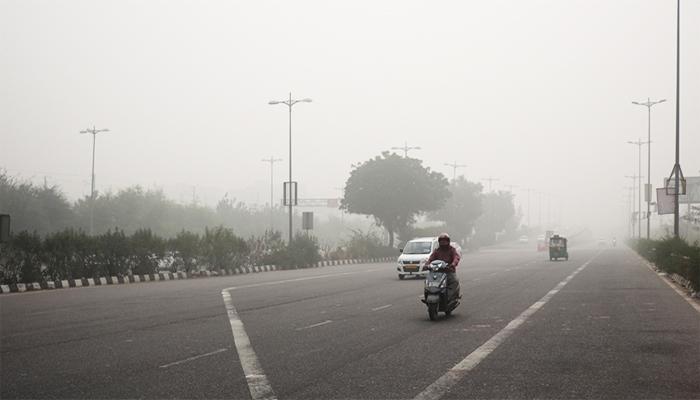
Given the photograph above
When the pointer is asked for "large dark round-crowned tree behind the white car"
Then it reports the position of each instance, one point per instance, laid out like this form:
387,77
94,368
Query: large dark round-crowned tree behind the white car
394,190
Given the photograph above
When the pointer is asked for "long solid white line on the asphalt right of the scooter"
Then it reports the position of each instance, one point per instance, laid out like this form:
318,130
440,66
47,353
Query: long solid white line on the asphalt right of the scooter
441,386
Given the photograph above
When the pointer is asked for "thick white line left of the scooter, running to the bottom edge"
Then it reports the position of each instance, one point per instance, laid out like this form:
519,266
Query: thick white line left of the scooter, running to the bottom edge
258,385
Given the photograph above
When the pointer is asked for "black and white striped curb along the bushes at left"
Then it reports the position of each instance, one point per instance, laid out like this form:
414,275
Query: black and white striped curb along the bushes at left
164,276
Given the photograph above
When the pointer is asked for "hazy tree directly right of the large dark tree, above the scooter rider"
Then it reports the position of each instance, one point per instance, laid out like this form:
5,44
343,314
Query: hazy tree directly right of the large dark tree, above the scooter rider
462,209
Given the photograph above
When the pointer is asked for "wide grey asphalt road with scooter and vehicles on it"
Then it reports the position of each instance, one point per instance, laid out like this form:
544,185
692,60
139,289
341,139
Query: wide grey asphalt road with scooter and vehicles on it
601,325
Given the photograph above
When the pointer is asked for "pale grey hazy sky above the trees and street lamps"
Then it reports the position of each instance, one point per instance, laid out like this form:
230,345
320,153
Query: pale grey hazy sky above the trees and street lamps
535,93
